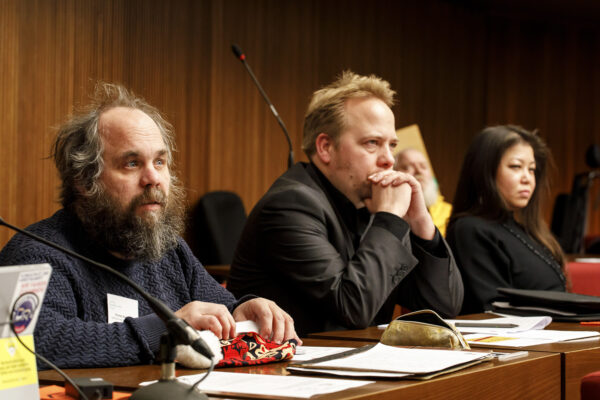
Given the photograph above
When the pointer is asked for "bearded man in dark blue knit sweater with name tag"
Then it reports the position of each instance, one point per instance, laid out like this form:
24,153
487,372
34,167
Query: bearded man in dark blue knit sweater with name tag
123,206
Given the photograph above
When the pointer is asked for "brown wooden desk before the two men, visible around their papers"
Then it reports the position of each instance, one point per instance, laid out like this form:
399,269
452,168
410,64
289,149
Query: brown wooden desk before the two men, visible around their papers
536,376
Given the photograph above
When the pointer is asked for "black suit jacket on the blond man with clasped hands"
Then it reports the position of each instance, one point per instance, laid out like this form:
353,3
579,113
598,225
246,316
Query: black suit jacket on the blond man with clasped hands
296,251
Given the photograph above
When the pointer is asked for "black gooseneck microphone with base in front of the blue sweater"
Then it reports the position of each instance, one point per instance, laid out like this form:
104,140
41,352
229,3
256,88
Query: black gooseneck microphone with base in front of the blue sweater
178,332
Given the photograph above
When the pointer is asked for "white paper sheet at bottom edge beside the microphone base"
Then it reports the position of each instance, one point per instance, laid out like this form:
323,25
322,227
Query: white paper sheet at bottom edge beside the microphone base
269,385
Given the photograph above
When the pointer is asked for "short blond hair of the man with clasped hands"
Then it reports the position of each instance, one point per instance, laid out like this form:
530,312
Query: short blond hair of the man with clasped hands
326,113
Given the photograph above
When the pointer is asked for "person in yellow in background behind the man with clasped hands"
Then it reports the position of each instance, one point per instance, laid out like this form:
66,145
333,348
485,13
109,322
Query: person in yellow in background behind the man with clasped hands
414,162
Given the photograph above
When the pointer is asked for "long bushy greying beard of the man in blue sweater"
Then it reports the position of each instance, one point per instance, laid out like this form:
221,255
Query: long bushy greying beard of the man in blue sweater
120,230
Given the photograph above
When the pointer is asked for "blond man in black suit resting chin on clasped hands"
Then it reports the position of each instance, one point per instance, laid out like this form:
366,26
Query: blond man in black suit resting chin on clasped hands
339,241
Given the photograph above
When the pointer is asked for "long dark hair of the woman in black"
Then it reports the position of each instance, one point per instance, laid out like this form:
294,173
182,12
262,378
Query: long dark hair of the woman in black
477,193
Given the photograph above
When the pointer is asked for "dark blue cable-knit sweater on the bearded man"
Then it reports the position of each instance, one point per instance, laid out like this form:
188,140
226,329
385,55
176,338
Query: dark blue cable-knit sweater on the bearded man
72,329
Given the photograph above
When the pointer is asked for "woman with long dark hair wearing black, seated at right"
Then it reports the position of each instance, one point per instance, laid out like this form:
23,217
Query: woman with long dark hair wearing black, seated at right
496,229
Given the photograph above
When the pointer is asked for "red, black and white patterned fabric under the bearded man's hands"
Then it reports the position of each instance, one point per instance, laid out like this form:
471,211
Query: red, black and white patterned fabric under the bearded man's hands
251,349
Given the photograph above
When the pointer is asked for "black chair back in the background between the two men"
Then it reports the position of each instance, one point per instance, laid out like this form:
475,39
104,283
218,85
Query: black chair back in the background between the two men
217,222
